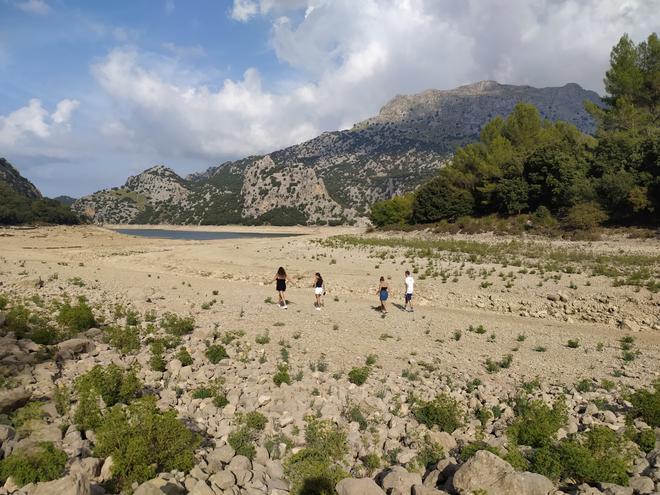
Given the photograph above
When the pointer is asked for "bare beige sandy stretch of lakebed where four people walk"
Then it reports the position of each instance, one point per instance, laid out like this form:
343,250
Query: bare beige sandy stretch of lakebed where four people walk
179,276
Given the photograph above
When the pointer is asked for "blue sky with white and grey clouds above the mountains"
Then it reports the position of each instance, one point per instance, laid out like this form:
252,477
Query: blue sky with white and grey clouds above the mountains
94,91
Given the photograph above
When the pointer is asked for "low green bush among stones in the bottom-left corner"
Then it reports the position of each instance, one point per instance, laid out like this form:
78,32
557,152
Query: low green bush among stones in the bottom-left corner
44,463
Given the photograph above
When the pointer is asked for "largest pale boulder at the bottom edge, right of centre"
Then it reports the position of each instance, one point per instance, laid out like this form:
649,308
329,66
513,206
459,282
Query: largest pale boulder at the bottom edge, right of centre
486,471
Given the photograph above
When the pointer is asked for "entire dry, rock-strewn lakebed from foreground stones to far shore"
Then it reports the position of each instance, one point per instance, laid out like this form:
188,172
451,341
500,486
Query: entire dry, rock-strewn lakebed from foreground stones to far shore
569,333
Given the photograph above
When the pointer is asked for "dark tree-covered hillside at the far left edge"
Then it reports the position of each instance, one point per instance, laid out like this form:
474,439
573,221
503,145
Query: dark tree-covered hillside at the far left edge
21,202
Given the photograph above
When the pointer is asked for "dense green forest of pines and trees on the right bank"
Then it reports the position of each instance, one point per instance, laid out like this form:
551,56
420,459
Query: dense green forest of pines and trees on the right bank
551,173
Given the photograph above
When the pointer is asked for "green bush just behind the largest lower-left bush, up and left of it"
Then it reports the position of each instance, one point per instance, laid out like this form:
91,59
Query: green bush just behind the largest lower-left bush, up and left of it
110,383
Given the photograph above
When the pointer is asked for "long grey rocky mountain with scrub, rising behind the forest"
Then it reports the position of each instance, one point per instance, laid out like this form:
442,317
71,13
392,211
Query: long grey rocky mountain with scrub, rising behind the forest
335,177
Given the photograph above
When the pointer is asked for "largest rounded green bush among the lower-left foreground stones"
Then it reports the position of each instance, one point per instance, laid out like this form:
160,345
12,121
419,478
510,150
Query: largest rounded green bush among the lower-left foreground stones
144,441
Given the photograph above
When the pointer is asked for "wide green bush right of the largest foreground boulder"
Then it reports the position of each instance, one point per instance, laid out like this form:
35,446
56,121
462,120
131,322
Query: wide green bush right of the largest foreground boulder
597,456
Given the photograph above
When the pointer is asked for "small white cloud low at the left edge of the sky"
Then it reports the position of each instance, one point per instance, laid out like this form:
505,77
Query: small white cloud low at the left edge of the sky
33,123
